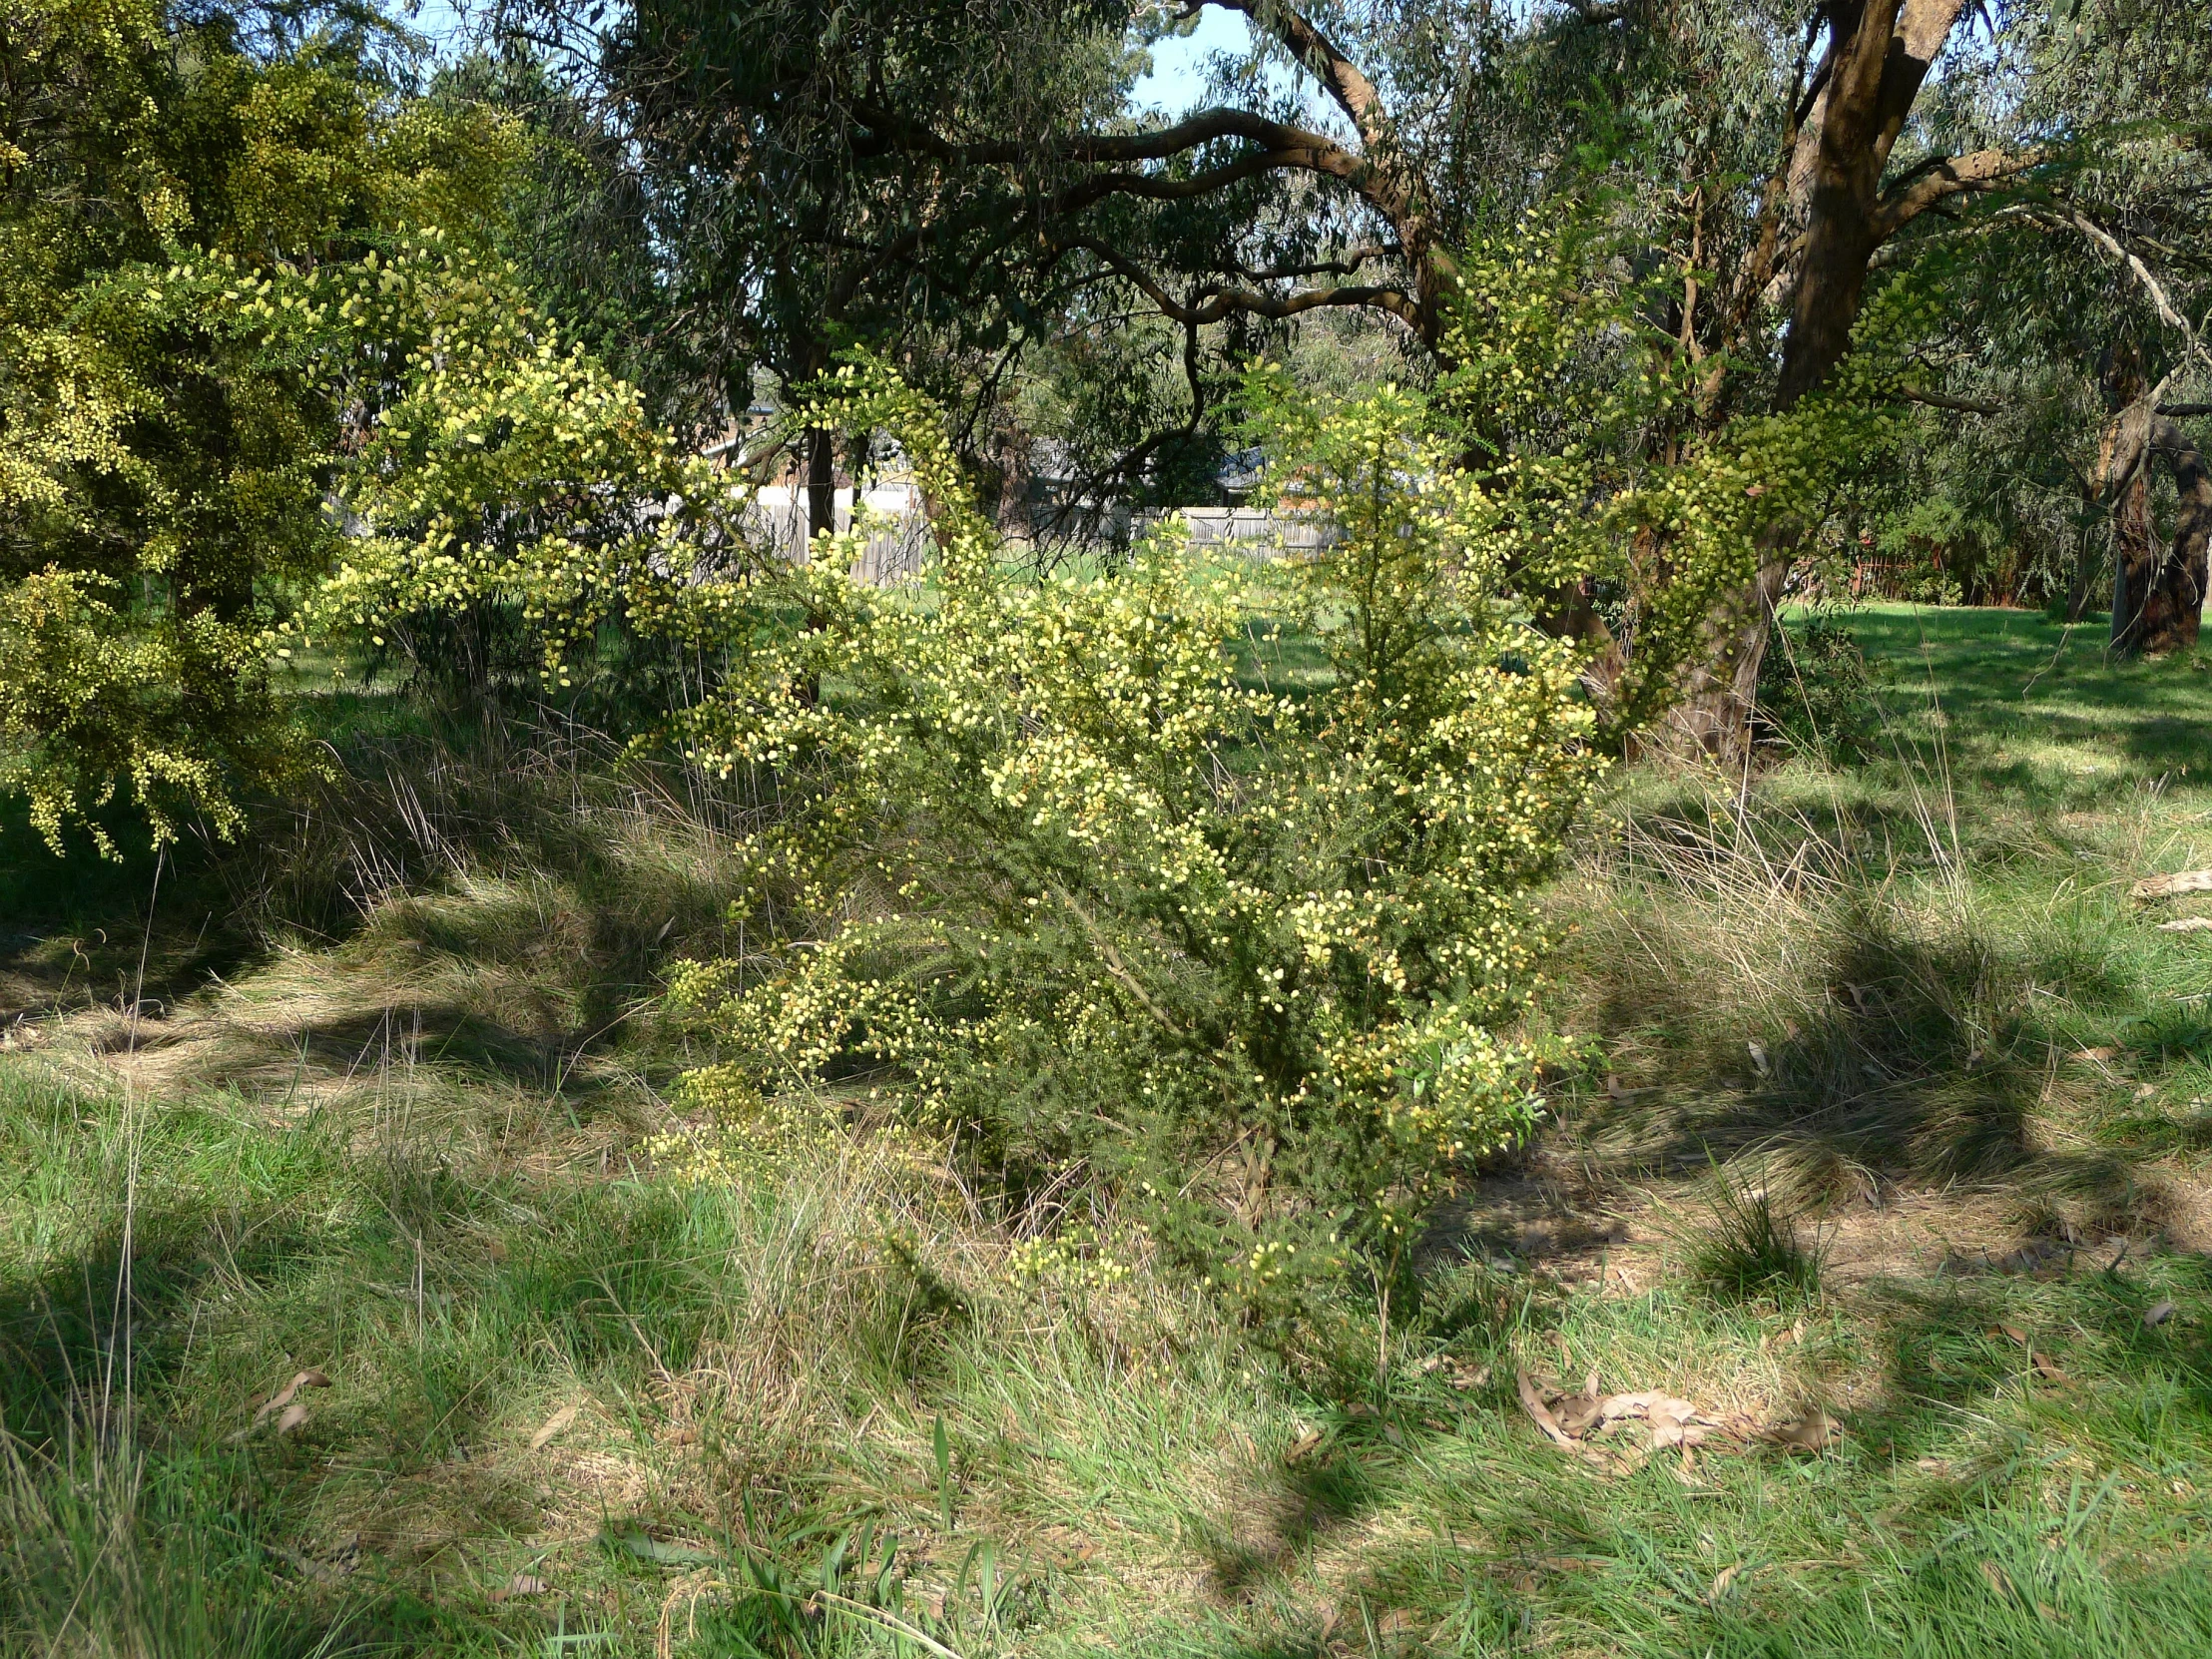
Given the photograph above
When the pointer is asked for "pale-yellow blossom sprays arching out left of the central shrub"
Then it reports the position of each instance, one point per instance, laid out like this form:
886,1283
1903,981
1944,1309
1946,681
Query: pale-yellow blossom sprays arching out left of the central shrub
512,499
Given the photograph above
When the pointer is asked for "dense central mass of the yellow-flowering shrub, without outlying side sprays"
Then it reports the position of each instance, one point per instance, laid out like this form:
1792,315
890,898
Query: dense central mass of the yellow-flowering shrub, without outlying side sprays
1061,868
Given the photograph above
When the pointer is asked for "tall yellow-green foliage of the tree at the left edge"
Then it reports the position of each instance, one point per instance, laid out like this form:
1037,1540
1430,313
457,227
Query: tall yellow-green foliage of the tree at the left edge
180,377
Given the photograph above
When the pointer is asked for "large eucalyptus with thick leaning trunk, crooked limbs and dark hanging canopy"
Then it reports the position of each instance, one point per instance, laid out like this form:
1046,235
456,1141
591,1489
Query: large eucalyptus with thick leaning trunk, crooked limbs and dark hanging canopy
970,182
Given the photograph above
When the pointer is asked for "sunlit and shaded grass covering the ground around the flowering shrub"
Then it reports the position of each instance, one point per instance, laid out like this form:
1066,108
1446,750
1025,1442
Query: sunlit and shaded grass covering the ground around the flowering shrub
417,1158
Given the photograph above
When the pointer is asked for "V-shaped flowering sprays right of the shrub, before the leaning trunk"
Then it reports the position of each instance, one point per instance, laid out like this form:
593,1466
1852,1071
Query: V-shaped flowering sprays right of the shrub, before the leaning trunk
1596,439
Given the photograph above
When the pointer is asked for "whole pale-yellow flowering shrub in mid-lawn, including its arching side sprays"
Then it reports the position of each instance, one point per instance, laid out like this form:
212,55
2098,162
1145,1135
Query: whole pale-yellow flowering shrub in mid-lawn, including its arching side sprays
1085,870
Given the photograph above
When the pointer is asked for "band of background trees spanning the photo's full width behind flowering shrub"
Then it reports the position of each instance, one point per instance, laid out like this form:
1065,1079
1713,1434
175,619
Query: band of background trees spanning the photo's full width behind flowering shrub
720,200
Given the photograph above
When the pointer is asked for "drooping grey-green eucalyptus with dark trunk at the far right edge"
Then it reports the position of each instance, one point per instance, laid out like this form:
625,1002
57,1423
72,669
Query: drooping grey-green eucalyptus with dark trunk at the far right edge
2083,302
